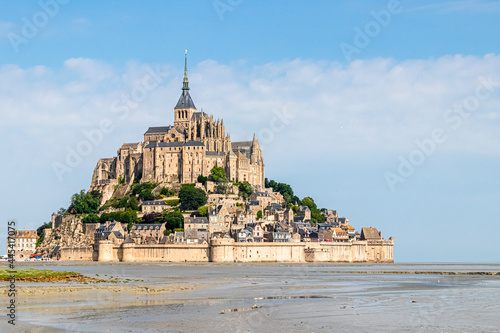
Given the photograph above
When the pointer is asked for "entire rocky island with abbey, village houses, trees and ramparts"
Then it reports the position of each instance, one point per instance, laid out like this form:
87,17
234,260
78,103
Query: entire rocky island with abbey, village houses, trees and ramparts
188,193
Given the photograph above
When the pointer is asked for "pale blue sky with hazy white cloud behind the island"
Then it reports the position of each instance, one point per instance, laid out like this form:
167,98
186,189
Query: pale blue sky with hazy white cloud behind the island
422,90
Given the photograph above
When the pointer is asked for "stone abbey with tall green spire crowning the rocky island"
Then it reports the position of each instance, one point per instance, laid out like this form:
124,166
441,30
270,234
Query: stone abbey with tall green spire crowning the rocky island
179,153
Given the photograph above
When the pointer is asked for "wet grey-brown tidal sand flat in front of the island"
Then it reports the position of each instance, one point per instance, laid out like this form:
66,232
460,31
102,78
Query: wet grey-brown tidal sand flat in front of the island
208,297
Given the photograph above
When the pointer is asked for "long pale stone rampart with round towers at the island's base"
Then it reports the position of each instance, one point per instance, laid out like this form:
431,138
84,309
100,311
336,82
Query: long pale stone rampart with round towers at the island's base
226,250
